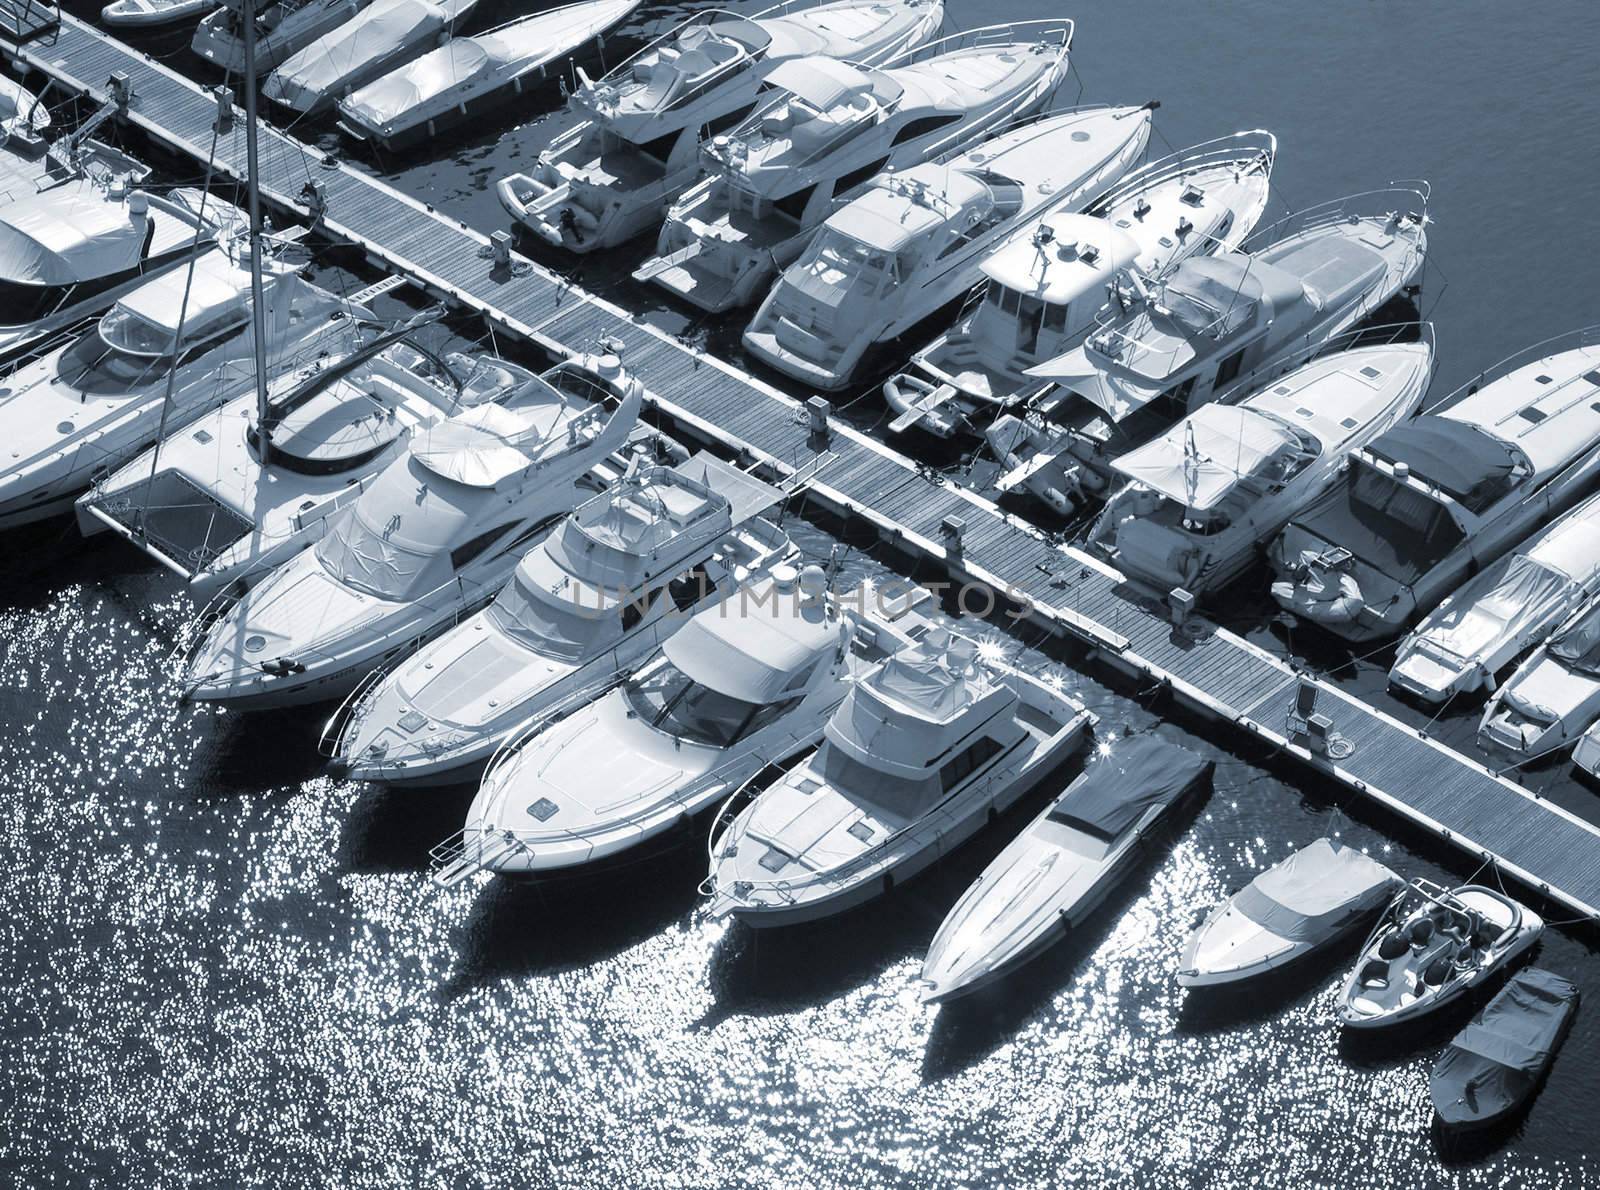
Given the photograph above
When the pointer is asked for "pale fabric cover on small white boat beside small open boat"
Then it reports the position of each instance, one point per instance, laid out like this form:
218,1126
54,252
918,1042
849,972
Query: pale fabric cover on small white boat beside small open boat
1310,893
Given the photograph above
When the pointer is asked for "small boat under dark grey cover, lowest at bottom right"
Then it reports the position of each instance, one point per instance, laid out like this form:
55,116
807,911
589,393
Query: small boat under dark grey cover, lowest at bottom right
1495,1064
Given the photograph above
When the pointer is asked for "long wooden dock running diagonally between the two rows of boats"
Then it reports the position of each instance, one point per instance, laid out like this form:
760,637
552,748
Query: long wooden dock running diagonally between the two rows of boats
1209,668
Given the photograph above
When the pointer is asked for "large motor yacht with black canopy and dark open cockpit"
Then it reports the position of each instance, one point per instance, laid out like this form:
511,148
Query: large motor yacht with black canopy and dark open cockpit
1433,501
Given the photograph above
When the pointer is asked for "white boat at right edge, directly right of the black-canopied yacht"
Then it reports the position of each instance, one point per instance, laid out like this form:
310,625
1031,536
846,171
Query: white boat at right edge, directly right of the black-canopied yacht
1505,610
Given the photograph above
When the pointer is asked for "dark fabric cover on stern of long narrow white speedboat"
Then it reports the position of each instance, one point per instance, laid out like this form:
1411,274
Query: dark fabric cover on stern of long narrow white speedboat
1118,788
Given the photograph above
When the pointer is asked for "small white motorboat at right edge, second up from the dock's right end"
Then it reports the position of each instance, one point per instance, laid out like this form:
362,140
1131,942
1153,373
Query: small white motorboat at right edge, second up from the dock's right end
1553,698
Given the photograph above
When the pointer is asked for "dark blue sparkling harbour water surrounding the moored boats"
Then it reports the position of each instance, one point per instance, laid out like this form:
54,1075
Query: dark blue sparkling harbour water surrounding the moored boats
218,967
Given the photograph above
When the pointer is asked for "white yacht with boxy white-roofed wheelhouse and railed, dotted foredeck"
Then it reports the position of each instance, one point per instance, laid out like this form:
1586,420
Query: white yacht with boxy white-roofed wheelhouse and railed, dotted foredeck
1044,290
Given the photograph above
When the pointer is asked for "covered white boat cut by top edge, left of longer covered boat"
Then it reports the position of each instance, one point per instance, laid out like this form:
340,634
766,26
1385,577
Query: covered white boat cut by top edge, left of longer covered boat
362,50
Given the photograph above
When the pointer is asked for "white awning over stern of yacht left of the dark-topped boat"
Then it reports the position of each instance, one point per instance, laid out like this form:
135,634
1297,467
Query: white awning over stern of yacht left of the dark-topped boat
1202,460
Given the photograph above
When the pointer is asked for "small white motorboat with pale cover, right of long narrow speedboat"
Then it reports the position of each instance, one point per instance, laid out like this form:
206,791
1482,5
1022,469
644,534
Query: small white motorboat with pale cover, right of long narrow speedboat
1297,908
